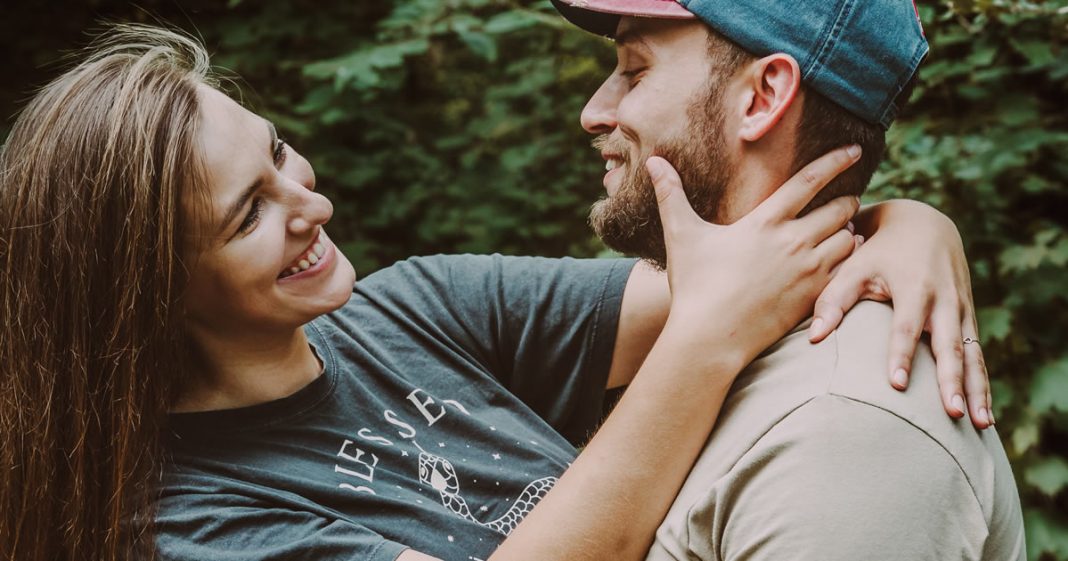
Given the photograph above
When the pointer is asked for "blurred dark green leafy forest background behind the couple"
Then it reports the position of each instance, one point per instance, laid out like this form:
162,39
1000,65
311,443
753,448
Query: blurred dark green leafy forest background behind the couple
452,127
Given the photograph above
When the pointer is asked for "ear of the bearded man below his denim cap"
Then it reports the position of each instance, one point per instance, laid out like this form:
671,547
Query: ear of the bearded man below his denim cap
772,85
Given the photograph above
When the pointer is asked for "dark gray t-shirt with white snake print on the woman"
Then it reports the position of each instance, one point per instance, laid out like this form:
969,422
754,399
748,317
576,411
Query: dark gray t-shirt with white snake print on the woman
453,394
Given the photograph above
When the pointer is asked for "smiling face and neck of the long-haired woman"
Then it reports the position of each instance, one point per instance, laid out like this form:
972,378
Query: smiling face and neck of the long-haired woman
244,319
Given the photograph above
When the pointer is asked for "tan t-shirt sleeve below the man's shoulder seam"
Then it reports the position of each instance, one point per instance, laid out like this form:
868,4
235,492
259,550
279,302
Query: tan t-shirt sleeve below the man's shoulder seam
841,480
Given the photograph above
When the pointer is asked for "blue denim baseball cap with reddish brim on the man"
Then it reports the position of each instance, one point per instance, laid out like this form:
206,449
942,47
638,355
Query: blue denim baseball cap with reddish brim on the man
858,54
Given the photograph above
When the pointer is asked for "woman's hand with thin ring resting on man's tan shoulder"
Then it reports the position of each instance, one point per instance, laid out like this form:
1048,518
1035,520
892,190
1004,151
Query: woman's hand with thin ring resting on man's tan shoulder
915,257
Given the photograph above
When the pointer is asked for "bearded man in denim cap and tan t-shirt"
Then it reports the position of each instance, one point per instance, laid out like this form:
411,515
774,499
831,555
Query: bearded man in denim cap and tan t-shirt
814,457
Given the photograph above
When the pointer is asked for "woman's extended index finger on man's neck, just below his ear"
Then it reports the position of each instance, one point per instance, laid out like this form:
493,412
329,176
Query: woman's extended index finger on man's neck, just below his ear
793,197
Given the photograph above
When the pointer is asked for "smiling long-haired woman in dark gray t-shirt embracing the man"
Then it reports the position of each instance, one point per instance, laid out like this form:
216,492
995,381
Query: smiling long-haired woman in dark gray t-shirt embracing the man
191,373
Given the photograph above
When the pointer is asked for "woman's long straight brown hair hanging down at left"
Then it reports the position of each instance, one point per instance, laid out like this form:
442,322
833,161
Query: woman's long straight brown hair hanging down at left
92,182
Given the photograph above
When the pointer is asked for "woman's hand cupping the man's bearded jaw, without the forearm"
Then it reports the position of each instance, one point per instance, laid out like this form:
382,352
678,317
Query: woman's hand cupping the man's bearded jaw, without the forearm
755,280
